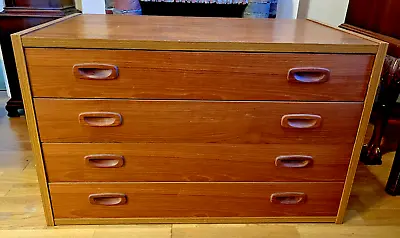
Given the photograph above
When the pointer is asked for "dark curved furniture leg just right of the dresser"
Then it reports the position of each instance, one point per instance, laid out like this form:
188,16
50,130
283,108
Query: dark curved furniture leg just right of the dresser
388,94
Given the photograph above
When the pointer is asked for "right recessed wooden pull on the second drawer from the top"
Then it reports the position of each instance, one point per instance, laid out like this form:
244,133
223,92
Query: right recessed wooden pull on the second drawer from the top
301,121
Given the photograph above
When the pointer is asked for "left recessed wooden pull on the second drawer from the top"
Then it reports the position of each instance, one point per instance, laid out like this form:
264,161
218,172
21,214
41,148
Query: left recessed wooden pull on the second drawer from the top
100,119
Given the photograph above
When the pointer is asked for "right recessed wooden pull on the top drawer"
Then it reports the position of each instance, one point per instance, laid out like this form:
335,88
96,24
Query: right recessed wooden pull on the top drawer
309,75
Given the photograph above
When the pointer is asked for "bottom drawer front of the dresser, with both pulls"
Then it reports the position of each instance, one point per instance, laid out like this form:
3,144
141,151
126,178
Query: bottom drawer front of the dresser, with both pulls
115,200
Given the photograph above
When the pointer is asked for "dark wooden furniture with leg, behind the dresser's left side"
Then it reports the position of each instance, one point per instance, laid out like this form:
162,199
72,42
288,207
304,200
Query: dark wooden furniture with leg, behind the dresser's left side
19,15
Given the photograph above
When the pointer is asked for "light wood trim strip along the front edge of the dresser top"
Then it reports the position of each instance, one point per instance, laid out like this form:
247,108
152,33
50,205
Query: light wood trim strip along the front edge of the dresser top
190,46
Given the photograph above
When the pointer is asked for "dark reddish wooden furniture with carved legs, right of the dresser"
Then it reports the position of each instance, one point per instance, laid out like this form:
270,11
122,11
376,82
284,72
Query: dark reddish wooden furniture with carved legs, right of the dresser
378,18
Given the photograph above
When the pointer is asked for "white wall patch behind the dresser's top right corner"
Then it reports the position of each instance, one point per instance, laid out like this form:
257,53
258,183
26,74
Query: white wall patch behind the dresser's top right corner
332,12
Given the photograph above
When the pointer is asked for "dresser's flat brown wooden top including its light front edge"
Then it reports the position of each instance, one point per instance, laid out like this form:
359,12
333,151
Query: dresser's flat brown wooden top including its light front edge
191,33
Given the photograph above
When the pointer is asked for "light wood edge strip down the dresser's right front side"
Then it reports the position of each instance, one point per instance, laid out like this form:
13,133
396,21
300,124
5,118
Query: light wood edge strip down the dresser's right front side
362,128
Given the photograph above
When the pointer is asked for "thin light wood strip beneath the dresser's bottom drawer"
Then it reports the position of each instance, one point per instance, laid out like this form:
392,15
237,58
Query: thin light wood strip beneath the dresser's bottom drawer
189,220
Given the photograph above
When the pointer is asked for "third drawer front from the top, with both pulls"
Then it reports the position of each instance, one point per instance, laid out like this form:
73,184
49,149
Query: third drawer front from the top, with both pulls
130,162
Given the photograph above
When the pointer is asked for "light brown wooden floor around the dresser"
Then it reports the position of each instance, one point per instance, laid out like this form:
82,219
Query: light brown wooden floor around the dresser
371,213
